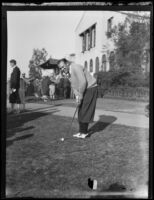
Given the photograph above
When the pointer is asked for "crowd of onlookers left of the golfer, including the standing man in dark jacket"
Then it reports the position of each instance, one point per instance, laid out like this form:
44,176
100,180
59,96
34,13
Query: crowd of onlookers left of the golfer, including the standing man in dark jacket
54,86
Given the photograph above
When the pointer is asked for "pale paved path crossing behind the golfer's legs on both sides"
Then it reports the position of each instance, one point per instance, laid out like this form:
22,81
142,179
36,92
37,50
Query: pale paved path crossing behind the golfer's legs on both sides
115,117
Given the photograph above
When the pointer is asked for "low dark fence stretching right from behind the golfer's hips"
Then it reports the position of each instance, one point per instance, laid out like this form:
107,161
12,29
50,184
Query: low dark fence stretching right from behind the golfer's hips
125,93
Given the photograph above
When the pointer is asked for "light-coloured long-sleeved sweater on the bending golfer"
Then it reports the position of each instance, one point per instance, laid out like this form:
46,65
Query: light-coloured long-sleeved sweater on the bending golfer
81,79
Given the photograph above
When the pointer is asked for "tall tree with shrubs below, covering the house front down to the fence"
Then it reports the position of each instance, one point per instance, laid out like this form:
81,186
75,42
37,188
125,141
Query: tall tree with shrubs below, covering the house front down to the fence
130,38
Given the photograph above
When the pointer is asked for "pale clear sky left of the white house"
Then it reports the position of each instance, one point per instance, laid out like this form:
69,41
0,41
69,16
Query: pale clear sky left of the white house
52,30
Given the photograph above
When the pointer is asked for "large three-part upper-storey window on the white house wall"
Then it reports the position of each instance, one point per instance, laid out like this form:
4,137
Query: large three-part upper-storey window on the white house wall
88,38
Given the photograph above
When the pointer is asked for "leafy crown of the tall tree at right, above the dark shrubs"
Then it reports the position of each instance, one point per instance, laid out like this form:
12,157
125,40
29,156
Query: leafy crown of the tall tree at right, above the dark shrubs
130,44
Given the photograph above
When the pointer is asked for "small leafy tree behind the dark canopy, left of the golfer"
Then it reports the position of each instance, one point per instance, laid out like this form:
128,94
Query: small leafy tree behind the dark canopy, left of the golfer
38,57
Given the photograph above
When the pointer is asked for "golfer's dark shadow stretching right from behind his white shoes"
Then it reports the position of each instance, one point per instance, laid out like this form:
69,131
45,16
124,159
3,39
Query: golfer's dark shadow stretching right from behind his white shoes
101,124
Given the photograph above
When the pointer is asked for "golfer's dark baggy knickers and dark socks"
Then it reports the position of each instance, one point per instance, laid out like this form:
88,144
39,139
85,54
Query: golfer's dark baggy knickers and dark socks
87,107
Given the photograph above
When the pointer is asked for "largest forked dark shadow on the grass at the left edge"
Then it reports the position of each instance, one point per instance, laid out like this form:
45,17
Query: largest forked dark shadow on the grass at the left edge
15,123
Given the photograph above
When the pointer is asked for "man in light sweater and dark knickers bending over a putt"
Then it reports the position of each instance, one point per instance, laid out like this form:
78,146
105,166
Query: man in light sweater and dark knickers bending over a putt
85,89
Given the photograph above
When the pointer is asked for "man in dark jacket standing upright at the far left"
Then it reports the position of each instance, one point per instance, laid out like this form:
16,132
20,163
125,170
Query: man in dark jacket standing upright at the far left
14,87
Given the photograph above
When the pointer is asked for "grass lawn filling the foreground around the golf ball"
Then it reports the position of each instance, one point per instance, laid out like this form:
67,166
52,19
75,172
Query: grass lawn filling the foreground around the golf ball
39,164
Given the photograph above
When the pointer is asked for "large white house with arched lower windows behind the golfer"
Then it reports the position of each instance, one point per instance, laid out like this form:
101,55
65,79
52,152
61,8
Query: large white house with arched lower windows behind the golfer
93,47
